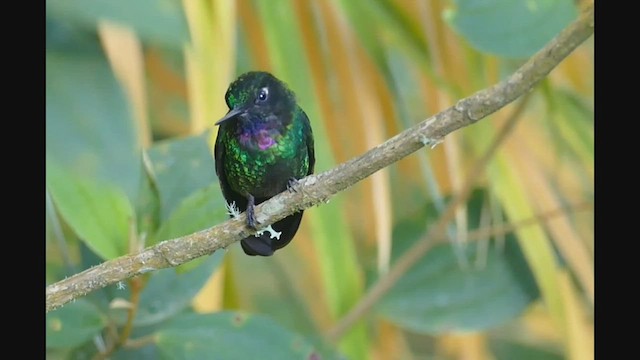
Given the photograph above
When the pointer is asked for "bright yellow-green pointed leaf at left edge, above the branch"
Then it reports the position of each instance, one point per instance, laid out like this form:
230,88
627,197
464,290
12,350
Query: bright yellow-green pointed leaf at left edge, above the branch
99,213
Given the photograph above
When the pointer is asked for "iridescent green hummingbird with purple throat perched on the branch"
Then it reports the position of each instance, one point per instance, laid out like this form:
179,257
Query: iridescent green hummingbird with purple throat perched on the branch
263,147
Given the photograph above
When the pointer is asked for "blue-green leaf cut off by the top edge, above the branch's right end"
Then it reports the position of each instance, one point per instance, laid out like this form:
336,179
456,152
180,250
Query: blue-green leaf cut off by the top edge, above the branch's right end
510,28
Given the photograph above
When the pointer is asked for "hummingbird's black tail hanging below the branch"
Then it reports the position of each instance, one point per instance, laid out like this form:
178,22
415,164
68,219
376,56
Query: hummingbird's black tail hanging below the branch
265,244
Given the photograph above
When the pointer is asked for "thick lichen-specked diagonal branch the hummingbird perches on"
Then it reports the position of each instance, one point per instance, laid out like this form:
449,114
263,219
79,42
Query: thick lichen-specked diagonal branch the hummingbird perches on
316,189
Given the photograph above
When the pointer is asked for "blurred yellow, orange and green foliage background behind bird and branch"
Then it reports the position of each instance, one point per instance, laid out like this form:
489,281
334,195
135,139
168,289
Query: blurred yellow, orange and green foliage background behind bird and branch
133,89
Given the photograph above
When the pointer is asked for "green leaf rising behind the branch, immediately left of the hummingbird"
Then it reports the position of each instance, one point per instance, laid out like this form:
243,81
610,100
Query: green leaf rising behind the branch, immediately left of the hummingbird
203,209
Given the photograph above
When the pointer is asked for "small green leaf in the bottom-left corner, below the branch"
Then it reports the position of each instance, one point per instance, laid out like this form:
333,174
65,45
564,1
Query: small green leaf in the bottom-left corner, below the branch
73,324
